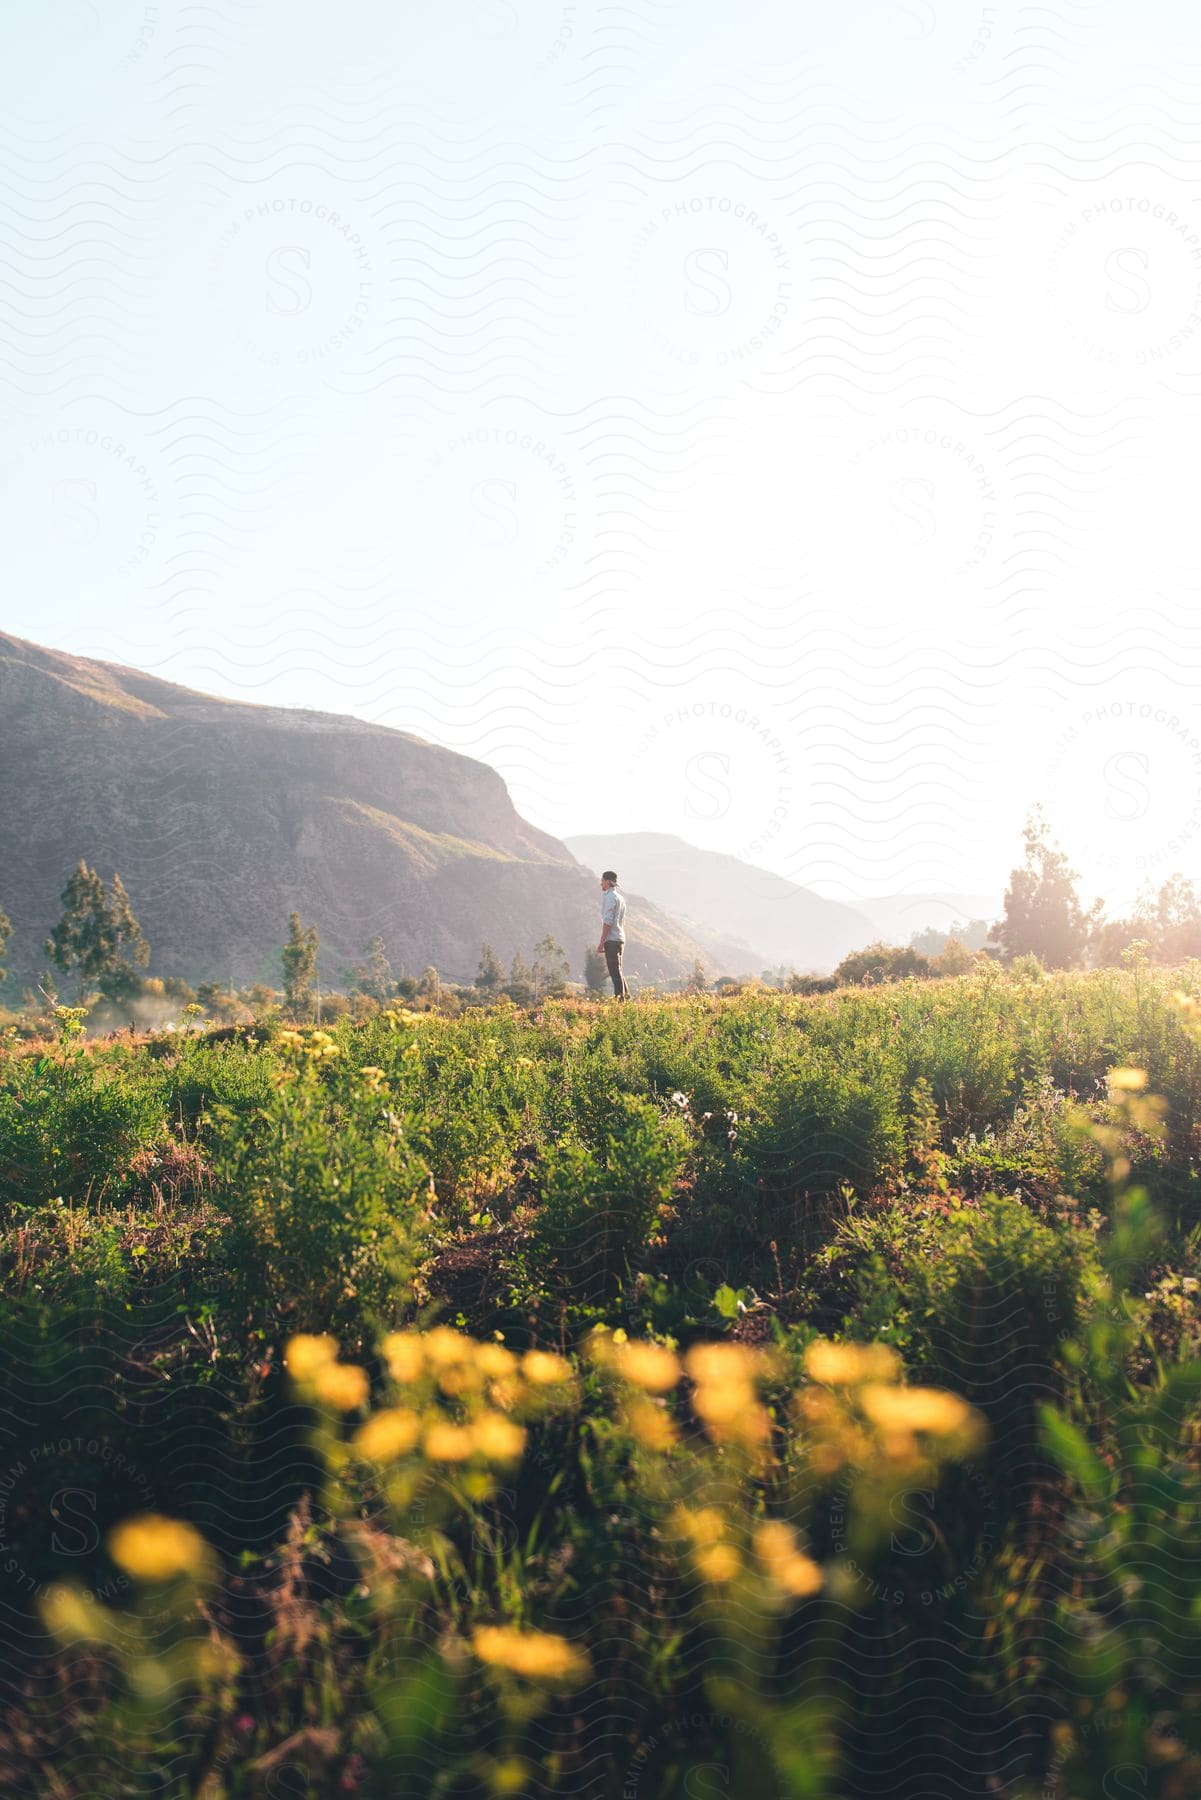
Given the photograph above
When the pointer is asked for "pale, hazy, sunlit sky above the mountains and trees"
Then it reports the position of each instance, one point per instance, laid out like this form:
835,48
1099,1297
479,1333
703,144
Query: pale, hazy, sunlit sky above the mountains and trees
770,424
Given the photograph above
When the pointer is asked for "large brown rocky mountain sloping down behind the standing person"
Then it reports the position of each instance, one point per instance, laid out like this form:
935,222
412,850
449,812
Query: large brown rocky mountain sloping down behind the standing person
224,816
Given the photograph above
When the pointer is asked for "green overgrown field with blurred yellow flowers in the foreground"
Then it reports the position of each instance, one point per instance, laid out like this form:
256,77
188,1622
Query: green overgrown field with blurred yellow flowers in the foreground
755,1396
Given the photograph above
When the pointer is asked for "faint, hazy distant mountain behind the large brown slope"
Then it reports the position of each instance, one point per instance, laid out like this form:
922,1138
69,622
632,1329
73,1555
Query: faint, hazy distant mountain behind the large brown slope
712,892
